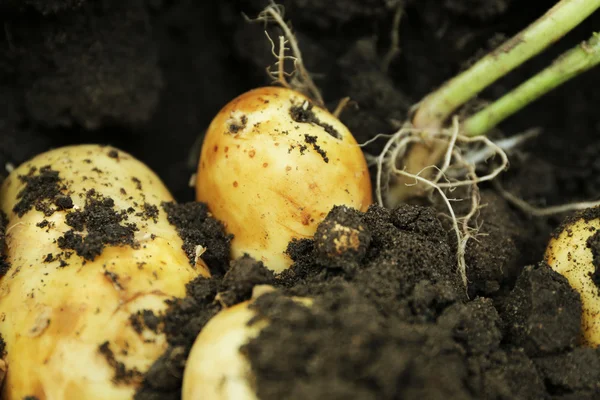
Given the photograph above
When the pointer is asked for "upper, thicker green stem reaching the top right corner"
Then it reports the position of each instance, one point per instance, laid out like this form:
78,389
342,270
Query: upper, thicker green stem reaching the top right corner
553,25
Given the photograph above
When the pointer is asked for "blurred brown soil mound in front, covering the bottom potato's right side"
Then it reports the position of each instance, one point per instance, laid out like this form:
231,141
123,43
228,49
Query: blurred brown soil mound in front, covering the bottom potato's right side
342,347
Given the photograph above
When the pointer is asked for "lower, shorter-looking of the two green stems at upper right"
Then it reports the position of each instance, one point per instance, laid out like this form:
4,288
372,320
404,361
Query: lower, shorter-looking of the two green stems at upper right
570,64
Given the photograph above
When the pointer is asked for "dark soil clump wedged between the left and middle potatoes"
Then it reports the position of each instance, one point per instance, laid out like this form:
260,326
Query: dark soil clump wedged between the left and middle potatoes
197,228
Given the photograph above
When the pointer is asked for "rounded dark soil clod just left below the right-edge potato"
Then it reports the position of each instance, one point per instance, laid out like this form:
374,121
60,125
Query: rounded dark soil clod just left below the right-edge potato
543,313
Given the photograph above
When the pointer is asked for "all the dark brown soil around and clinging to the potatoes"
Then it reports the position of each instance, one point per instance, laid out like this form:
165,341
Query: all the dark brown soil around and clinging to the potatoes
390,317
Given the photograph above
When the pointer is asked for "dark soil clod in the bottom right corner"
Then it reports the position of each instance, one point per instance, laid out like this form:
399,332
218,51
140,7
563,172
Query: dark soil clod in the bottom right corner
573,373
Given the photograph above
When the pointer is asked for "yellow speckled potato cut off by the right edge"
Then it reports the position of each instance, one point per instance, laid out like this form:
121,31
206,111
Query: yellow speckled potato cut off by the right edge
569,254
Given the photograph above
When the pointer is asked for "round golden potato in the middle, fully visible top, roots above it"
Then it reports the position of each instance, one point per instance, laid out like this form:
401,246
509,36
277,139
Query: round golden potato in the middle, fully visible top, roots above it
272,166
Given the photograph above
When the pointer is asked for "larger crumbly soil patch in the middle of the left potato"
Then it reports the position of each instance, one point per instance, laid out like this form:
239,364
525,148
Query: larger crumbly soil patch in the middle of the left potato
103,224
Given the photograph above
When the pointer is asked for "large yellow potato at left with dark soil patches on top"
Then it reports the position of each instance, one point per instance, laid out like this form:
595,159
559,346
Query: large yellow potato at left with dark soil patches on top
89,245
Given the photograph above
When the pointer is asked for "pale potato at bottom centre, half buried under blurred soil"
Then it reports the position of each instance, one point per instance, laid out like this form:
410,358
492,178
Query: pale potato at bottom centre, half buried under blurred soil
216,369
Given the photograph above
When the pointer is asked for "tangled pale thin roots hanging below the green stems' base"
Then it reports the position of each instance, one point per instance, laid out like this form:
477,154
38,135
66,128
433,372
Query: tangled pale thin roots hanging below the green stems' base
457,170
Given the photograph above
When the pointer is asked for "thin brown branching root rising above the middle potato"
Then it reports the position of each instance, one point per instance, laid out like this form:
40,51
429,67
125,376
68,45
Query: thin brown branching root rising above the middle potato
299,79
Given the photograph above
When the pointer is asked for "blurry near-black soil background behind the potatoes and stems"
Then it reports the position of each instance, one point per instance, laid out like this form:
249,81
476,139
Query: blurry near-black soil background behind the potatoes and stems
148,76
